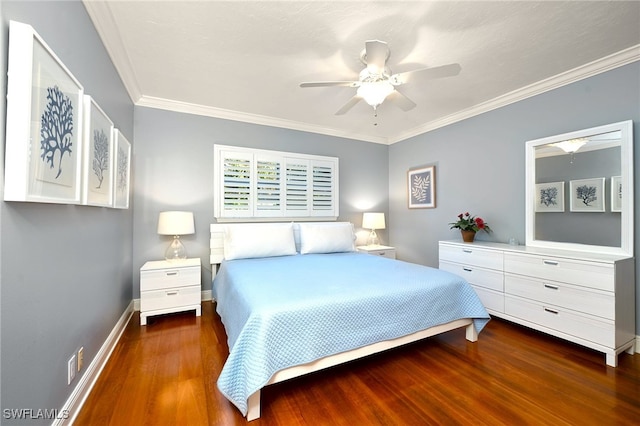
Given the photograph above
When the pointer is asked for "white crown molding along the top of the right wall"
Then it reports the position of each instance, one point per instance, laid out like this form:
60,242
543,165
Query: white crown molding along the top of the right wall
598,66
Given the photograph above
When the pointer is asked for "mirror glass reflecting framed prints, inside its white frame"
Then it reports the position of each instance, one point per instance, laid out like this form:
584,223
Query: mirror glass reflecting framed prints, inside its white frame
578,190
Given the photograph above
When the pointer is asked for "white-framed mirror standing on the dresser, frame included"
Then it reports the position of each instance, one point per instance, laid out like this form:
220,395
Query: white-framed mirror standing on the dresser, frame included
579,190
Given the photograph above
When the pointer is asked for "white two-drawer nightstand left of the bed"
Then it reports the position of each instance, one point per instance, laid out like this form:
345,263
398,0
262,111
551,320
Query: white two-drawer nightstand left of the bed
169,286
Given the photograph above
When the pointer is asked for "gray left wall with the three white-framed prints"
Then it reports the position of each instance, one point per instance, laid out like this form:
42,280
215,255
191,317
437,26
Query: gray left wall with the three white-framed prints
65,271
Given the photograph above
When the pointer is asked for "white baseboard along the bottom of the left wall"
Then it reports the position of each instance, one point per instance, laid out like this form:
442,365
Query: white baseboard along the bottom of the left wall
88,380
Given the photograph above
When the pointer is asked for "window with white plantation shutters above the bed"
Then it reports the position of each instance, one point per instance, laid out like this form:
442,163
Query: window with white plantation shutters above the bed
261,184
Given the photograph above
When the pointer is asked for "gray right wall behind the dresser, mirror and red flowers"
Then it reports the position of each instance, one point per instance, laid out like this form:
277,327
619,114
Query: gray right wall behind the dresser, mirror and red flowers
480,162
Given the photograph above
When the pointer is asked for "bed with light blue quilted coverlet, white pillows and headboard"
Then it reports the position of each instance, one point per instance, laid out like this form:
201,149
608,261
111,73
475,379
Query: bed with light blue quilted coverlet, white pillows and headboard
296,298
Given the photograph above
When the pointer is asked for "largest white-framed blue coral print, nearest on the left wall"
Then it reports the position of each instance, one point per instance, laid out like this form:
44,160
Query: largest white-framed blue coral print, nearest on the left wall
43,156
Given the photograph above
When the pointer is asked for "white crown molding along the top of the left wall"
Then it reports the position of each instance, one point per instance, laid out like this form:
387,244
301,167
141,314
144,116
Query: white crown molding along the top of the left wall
107,30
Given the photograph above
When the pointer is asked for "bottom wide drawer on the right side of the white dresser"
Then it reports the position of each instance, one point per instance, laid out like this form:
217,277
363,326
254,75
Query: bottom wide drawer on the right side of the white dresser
585,327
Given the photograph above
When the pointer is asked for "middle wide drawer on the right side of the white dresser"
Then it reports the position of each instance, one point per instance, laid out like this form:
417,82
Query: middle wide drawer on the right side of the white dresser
588,301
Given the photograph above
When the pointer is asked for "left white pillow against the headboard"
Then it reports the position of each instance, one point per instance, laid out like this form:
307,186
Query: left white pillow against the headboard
258,240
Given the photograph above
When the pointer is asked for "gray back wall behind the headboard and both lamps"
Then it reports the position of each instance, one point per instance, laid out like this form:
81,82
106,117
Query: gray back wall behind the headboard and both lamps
173,157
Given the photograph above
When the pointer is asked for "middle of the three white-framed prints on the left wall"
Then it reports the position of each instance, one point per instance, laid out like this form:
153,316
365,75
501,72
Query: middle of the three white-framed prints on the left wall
97,169
